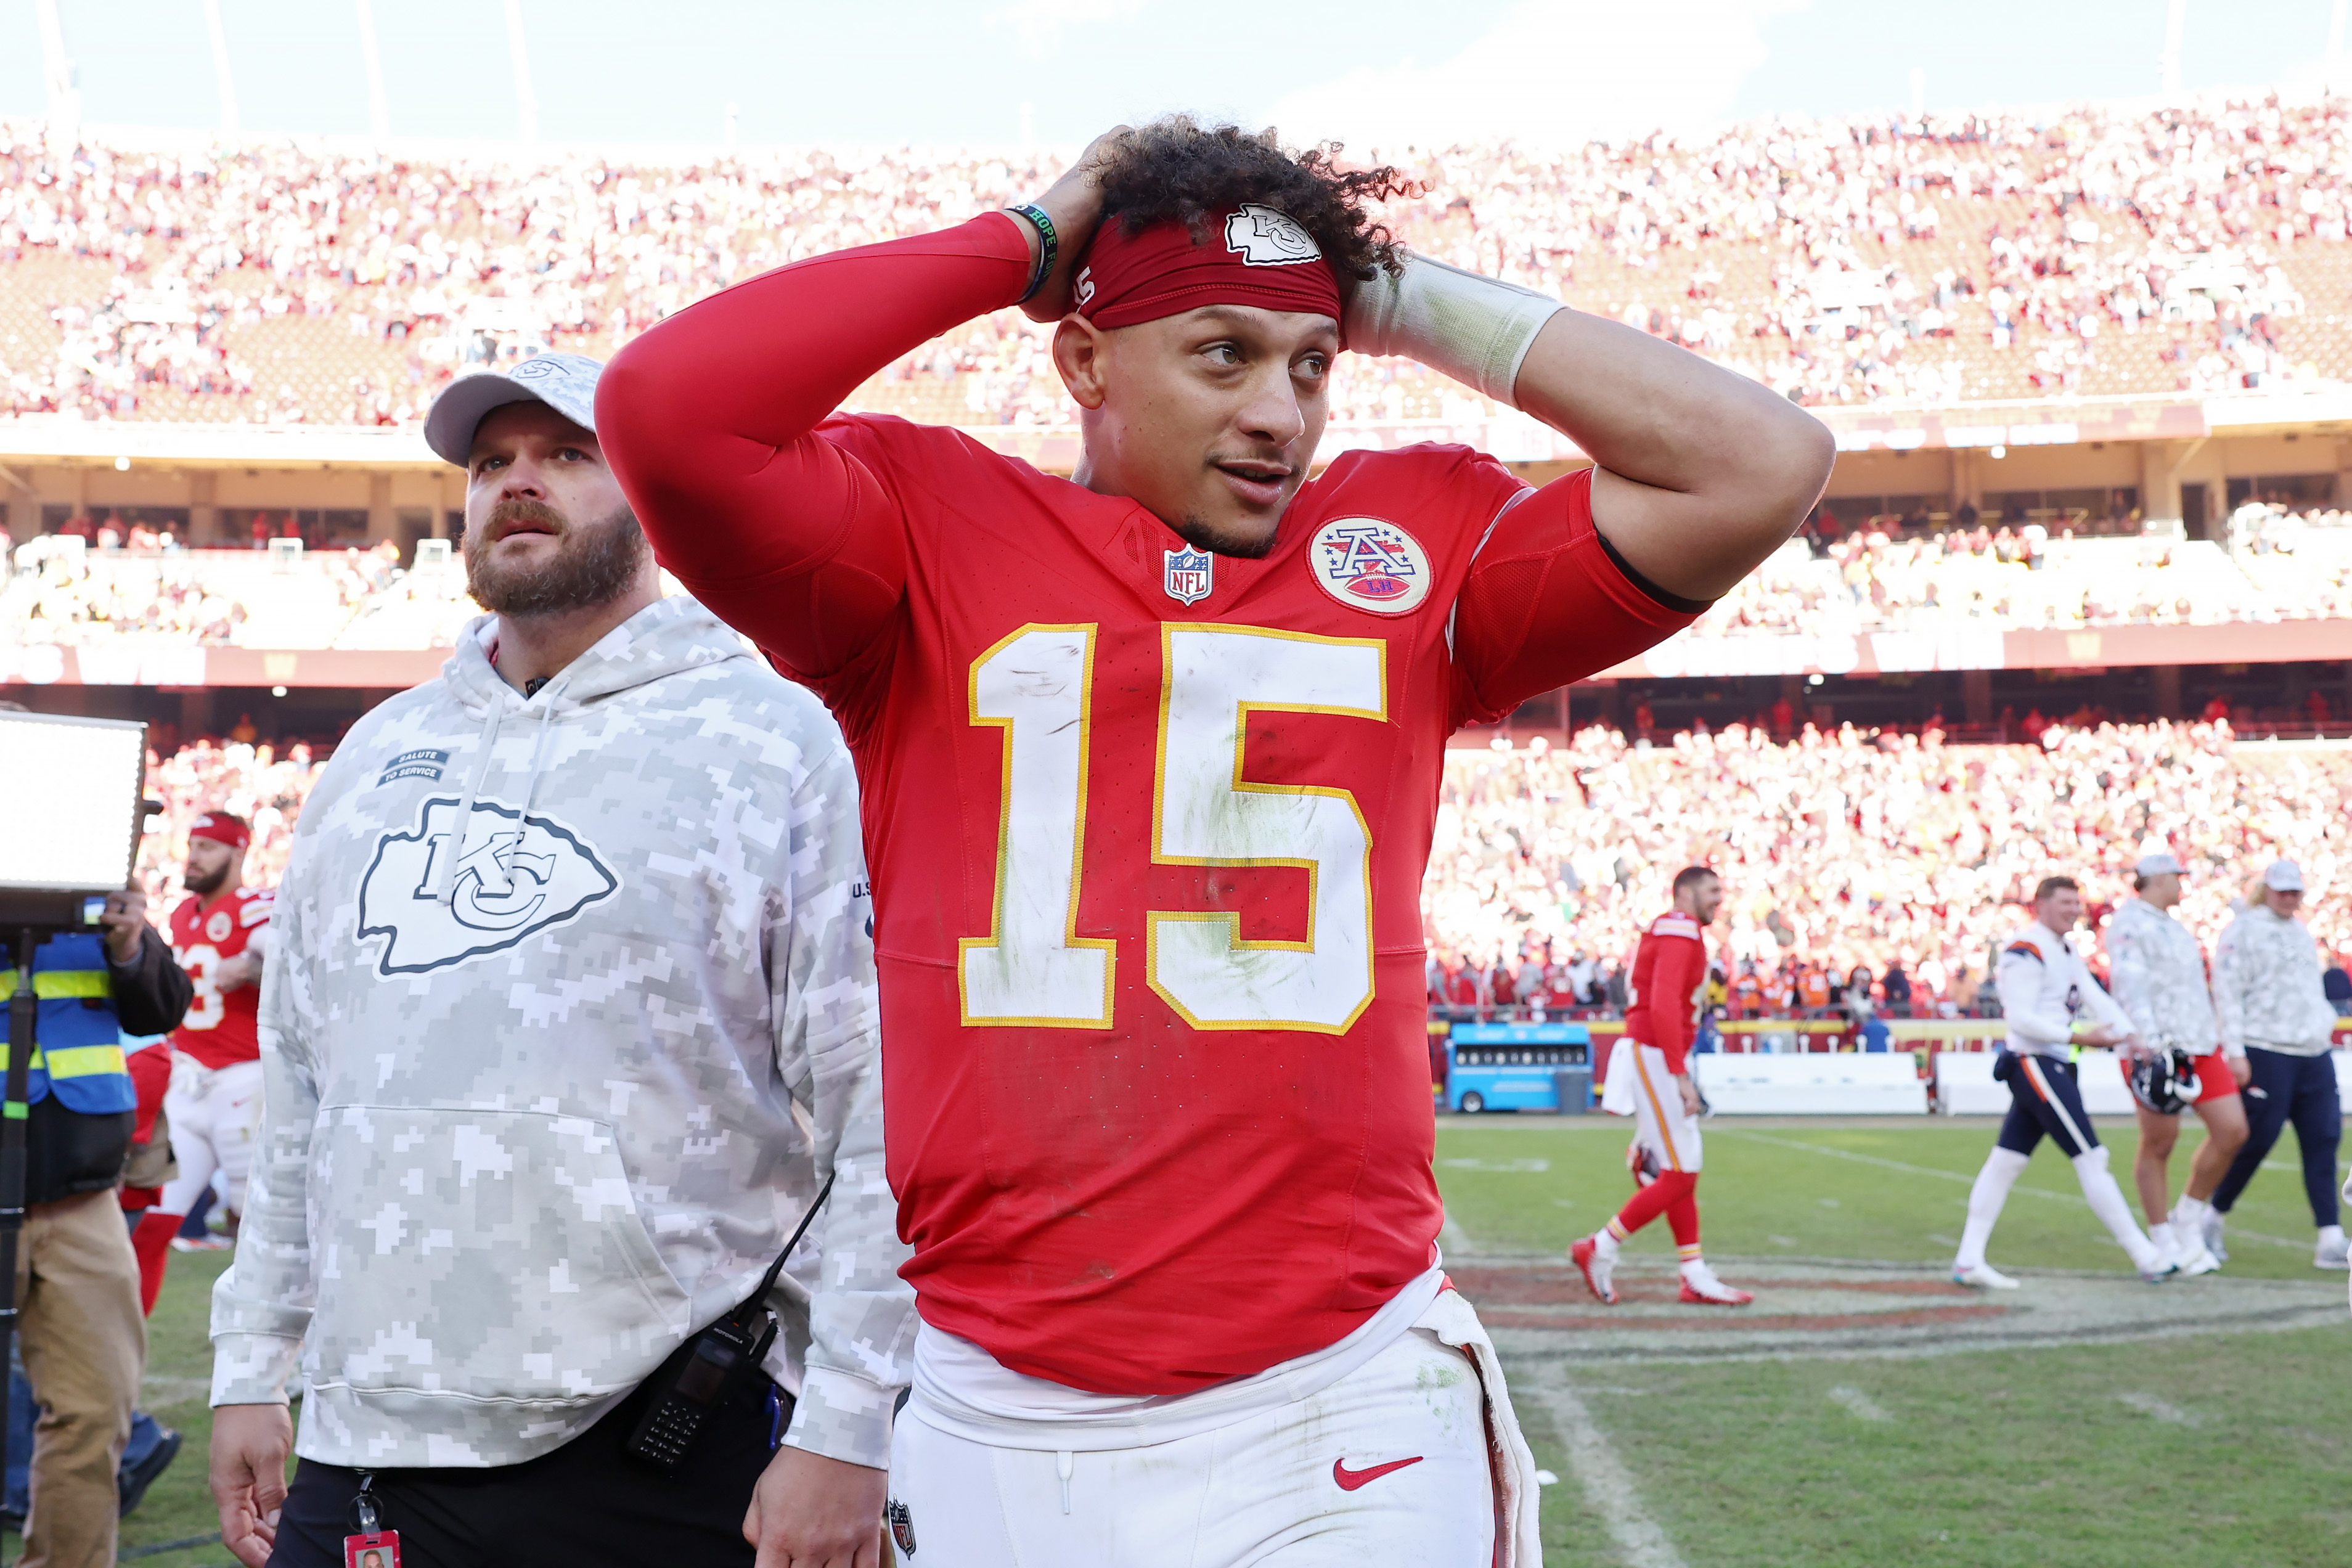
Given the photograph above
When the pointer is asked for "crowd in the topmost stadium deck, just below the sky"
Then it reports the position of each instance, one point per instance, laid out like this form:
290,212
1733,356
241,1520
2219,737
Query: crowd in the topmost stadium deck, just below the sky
1840,262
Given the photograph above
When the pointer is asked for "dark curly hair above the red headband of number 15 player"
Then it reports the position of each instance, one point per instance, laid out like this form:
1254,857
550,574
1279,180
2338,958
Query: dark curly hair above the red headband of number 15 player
1180,170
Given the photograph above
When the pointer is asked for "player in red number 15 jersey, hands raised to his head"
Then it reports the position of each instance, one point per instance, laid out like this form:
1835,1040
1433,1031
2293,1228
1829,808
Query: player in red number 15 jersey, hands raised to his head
1149,768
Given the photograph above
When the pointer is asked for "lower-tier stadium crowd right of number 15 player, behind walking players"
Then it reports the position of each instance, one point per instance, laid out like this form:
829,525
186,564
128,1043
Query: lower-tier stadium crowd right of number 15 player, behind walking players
1850,852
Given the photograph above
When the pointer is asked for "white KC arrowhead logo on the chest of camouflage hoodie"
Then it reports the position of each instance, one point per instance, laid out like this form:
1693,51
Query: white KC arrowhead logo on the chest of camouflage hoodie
441,897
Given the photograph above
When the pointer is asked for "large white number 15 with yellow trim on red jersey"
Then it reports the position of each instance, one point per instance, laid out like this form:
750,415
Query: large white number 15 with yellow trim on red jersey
1034,970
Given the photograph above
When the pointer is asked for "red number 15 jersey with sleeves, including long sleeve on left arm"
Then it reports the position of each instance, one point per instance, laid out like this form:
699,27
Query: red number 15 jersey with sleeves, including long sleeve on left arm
1147,824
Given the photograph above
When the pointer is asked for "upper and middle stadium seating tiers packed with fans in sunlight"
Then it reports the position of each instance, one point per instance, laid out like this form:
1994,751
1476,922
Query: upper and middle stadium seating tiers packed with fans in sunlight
2113,321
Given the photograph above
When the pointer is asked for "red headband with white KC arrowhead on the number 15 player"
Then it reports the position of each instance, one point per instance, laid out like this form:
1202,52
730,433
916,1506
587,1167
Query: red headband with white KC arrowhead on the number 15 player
1255,257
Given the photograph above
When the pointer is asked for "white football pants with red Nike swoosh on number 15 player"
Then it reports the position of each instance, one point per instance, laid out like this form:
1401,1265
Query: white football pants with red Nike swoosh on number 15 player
1384,1468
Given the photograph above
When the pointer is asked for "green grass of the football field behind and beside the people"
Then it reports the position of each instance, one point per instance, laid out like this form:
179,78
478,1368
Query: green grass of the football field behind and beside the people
2224,1452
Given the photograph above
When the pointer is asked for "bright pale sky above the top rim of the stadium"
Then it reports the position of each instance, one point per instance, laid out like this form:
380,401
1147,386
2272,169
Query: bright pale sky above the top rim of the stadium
994,72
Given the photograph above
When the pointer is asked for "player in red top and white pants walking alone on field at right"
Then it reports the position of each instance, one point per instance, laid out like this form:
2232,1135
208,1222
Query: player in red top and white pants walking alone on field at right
1662,1026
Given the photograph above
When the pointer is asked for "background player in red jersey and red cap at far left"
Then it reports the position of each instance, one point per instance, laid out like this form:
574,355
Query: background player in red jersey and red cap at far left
220,937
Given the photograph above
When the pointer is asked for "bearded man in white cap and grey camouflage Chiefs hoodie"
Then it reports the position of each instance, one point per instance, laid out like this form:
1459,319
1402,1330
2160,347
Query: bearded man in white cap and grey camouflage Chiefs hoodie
573,1017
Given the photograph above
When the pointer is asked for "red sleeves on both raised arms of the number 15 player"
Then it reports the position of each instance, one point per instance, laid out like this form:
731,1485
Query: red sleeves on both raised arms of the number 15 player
714,422
